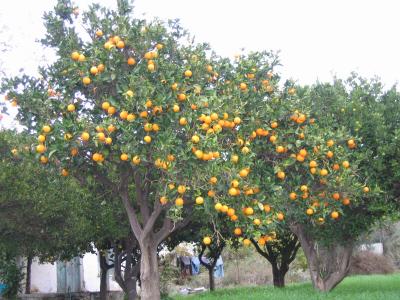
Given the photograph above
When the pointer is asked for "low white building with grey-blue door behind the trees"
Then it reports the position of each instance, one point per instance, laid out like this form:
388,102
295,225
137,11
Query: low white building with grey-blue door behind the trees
79,274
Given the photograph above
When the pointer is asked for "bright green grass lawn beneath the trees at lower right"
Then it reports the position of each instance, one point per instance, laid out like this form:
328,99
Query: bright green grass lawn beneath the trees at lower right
377,287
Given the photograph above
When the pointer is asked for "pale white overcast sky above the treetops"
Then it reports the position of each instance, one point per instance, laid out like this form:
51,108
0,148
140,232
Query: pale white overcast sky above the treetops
317,39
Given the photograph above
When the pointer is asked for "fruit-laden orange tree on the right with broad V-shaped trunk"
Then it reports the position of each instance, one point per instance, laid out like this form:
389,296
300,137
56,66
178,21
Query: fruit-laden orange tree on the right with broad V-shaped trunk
309,181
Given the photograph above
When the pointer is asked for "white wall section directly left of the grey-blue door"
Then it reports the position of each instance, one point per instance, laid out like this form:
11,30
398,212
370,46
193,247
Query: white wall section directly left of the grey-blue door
43,277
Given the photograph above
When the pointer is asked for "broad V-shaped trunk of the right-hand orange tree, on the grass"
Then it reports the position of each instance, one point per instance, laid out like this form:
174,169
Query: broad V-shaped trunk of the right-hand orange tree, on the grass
328,264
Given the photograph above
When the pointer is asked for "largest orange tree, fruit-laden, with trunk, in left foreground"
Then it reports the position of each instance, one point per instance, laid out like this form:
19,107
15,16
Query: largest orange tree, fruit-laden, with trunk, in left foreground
149,118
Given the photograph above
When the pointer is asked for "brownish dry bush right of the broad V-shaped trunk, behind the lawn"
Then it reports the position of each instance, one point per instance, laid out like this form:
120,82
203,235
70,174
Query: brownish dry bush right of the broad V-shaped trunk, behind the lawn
367,262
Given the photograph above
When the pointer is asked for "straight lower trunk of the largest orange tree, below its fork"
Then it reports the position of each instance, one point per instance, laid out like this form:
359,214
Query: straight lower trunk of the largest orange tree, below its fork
149,273
